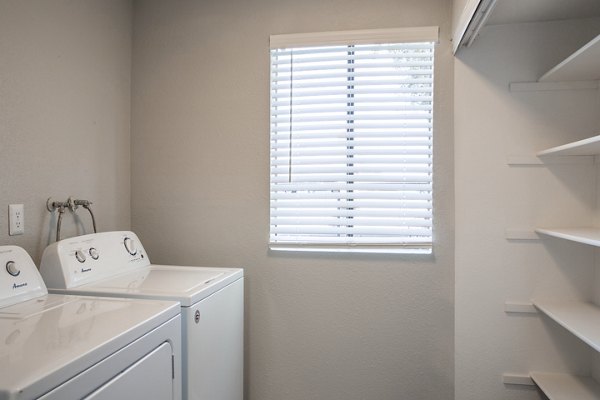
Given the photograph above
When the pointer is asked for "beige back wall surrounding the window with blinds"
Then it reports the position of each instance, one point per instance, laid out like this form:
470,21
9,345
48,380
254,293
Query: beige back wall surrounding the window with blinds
318,326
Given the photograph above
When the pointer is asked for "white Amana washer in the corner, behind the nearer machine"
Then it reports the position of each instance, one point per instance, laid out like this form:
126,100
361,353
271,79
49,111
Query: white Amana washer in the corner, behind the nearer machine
212,302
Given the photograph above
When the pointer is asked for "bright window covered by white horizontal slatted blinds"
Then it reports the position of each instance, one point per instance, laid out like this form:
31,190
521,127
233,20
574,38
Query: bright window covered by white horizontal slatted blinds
351,141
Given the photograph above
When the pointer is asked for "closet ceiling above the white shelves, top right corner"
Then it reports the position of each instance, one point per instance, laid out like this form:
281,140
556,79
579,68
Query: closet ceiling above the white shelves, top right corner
518,11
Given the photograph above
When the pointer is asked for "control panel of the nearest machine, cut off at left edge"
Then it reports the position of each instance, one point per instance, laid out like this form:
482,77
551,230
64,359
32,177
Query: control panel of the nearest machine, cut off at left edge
20,279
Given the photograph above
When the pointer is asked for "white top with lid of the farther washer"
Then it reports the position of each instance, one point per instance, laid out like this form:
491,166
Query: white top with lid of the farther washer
188,285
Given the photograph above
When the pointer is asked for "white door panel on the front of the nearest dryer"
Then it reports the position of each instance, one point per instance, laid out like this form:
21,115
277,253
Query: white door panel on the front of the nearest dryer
149,378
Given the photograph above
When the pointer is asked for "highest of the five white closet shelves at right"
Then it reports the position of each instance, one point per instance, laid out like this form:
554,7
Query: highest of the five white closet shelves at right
583,65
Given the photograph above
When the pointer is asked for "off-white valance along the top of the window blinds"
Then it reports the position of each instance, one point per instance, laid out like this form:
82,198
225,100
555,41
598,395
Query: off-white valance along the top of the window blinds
367,36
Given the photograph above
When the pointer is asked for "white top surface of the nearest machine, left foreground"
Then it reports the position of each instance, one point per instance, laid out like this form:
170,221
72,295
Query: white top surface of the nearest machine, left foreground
48,340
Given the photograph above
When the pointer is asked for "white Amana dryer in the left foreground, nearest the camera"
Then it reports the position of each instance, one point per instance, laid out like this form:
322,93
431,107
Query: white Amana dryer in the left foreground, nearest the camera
75,347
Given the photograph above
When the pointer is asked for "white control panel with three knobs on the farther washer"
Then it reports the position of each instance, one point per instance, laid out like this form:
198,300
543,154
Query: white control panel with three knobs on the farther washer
91,258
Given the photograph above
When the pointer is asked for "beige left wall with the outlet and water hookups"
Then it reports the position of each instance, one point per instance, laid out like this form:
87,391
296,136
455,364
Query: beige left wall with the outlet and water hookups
64,113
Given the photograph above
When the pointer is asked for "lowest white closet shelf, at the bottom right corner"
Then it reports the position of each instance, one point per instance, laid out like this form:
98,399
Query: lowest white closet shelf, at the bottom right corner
566,387
